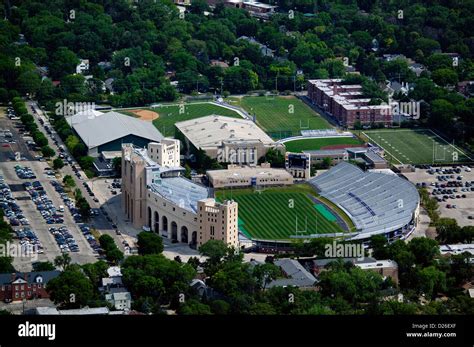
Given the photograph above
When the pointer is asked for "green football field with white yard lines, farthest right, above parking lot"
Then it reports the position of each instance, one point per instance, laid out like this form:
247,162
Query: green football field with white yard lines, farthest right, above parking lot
415,146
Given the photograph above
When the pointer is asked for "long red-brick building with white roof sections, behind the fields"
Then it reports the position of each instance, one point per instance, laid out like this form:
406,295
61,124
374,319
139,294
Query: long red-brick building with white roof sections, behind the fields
346,103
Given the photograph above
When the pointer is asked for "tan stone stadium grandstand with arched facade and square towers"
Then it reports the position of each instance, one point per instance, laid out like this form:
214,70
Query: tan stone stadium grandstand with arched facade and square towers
160,199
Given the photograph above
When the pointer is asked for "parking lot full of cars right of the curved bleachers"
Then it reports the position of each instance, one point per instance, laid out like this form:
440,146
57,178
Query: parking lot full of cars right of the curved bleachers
453,187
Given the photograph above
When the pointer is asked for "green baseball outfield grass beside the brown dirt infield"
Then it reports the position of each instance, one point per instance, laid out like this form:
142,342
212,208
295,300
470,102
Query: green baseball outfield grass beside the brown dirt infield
170,114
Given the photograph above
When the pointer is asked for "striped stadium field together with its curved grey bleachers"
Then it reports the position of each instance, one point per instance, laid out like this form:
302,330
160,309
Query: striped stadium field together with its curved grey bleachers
344,202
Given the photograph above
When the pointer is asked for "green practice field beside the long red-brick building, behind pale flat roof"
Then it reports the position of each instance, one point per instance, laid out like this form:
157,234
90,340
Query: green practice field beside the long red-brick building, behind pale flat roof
282,117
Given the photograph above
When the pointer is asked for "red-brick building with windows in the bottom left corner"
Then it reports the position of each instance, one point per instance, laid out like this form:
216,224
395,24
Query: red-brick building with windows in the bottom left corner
30,285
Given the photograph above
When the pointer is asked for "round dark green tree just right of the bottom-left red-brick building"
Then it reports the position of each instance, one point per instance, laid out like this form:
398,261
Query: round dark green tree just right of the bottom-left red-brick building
71,289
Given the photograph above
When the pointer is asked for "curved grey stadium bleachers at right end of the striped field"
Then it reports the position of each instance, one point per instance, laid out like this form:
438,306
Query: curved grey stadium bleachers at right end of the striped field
376,202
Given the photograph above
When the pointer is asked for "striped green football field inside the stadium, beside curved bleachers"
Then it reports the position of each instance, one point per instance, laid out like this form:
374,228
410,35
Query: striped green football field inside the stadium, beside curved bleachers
266,215
